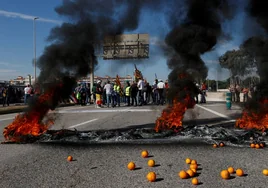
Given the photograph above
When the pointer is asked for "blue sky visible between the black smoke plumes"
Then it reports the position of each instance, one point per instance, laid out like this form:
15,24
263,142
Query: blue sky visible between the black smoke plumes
17,44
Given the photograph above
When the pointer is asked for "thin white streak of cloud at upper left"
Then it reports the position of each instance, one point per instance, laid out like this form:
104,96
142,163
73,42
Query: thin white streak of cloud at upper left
26,17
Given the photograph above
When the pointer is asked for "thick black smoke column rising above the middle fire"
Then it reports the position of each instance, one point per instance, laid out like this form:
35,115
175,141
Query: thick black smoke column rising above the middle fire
197,35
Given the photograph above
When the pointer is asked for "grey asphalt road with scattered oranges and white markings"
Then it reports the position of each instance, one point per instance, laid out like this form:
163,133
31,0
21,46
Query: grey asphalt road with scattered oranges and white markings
104,165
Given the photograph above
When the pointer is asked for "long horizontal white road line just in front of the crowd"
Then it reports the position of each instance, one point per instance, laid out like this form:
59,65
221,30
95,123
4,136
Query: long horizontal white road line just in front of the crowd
112,110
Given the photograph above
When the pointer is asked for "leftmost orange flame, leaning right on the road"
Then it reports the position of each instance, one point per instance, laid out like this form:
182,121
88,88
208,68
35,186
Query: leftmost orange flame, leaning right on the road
30,123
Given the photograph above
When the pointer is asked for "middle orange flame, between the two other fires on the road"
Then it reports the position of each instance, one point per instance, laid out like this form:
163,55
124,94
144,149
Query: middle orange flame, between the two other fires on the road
173,115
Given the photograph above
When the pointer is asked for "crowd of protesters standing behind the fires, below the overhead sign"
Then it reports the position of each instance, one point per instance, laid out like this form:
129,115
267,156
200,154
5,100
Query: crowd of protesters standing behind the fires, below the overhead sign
112,94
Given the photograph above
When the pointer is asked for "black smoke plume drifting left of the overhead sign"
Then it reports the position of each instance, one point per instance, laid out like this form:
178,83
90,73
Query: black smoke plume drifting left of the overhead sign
73,44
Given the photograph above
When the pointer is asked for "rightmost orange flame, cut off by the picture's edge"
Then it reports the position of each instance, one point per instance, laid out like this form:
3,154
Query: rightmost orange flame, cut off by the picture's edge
255,119
